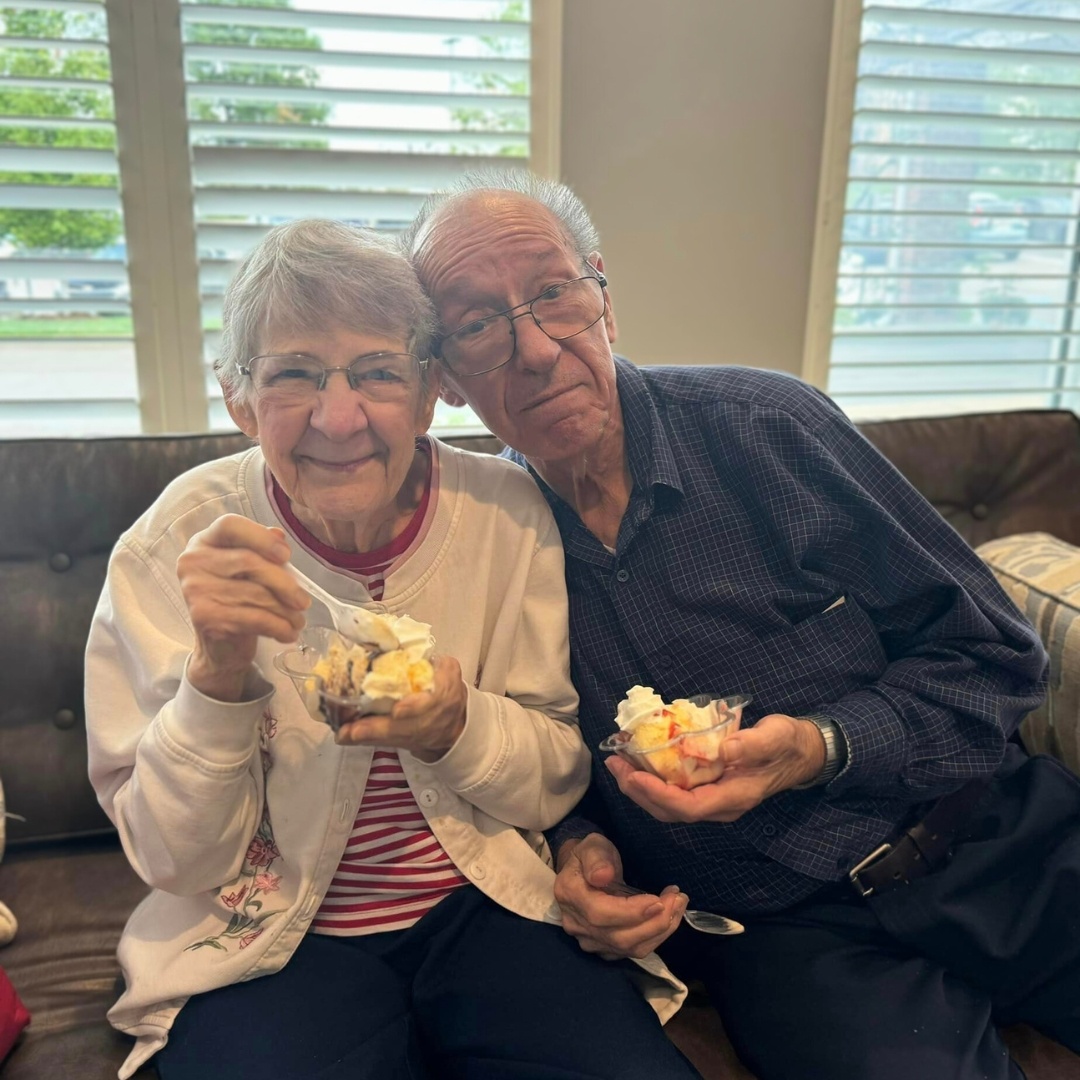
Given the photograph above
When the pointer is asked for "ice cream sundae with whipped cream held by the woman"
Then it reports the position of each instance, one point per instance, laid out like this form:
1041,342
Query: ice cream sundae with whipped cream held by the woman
340,679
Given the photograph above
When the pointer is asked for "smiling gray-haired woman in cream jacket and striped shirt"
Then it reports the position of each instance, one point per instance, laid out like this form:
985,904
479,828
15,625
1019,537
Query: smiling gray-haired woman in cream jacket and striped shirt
391,881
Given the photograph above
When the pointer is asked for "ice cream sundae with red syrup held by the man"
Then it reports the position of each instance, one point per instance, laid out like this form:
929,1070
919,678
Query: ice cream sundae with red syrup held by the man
680,742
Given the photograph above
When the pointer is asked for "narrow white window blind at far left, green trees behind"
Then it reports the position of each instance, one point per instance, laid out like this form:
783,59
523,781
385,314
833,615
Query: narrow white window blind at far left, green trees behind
67,361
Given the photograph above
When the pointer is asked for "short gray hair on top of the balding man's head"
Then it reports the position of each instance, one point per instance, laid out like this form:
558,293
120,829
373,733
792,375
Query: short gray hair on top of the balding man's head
557,198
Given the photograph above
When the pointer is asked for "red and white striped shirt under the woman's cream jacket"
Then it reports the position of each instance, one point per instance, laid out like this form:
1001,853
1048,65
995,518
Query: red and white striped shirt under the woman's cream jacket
394,870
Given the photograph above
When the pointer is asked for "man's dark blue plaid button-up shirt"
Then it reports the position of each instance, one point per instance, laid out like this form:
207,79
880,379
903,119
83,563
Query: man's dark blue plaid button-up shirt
757,508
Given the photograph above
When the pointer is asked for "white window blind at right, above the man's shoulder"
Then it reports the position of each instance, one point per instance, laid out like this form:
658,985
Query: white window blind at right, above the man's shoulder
958,272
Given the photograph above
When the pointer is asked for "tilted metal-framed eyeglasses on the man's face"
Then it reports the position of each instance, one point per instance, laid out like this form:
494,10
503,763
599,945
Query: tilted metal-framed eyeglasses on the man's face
561,312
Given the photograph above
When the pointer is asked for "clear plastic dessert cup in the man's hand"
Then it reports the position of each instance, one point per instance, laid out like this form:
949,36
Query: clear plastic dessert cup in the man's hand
691,758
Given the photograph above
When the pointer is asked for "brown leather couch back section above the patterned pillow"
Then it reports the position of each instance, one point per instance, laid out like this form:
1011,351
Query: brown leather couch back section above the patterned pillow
992,475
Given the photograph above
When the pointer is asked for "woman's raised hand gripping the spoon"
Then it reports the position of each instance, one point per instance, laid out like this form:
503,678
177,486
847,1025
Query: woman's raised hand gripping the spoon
237,590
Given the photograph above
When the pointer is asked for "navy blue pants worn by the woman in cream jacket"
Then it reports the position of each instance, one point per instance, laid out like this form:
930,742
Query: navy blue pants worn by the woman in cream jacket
471,992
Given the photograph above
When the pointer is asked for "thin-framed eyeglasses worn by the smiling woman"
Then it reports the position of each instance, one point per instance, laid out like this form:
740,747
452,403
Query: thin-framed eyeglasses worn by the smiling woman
295,379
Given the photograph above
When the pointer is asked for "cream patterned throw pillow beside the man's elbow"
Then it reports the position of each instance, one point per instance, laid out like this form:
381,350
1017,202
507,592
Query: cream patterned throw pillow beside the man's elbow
1042,574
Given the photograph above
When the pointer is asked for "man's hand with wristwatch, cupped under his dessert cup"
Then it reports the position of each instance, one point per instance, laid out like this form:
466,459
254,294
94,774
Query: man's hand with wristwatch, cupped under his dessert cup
778,753
